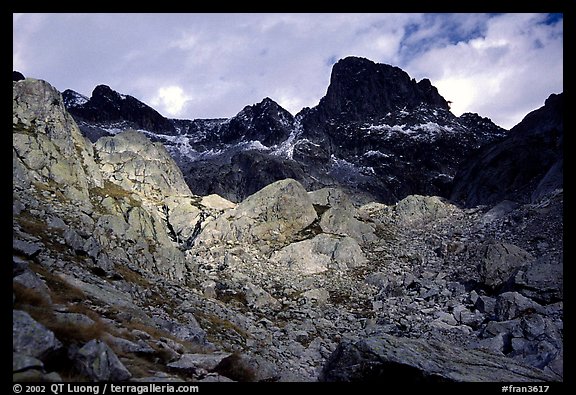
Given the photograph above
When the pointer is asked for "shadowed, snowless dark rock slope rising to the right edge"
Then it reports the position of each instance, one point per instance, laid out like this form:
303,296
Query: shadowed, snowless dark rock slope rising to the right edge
523,167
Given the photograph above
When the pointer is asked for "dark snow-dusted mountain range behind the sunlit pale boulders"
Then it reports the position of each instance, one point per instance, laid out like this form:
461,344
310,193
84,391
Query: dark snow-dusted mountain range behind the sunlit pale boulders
377,133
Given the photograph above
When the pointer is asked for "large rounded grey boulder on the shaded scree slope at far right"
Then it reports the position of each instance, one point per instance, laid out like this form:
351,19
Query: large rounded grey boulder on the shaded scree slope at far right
499,262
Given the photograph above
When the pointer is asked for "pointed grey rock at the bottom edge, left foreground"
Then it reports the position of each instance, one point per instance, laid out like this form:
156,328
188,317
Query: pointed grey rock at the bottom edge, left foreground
96,360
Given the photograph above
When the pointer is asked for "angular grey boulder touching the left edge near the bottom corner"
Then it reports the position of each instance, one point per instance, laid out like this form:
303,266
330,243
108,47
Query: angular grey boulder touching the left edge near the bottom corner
32,338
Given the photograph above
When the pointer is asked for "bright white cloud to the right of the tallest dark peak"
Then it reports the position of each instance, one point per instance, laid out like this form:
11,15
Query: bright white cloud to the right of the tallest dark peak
503,74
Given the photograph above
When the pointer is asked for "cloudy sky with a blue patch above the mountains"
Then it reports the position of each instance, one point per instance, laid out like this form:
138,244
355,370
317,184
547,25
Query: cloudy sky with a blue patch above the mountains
212,65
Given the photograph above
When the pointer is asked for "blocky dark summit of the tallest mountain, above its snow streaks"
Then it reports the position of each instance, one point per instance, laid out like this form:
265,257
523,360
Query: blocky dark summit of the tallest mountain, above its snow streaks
361,89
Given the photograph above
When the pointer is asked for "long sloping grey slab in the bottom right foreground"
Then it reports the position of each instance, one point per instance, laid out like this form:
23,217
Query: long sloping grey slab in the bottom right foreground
413,360
